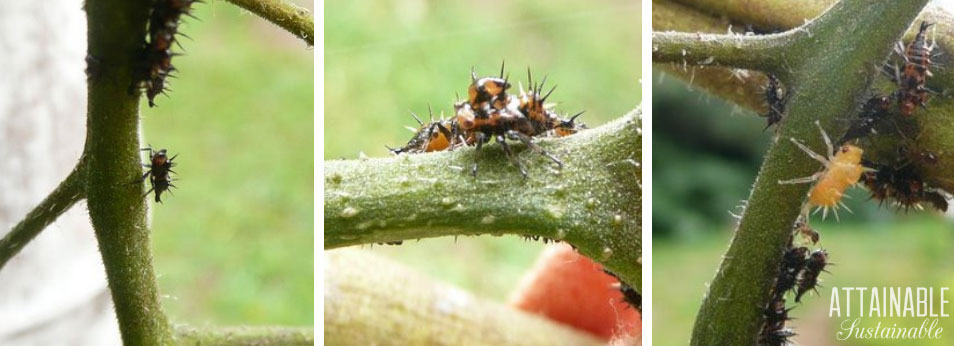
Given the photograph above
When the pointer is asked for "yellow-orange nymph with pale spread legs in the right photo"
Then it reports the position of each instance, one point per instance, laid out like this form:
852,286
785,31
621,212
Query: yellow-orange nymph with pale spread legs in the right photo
842,169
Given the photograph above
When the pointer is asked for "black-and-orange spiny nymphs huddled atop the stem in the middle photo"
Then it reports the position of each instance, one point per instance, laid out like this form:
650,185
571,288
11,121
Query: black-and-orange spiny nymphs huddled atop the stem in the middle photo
490,112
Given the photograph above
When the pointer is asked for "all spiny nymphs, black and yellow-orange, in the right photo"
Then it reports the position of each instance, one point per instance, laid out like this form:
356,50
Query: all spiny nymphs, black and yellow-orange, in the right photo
899,180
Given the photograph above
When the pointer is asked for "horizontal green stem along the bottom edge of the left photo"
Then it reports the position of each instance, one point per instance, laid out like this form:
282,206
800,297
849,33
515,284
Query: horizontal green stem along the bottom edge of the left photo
286,336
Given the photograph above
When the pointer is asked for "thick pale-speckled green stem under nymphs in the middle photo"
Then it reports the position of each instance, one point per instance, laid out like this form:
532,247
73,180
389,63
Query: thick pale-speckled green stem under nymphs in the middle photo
593,203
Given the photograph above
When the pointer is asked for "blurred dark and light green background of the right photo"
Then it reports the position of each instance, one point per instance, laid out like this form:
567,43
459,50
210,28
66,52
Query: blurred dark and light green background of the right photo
706,154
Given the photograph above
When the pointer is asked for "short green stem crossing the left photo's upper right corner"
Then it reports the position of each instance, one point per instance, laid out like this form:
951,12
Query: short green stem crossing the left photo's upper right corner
293,19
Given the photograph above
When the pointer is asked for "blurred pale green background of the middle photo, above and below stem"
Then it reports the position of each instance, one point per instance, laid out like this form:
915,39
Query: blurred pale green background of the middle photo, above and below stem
383,58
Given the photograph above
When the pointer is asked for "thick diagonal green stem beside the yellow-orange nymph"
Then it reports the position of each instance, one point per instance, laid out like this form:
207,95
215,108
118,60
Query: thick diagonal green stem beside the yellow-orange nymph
829,77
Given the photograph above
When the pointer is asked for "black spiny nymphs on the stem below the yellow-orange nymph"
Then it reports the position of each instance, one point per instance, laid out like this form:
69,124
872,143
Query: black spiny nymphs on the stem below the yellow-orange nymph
798,273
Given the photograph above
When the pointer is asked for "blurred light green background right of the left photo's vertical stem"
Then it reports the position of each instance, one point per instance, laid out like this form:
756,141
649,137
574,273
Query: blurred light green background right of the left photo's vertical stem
234,244
